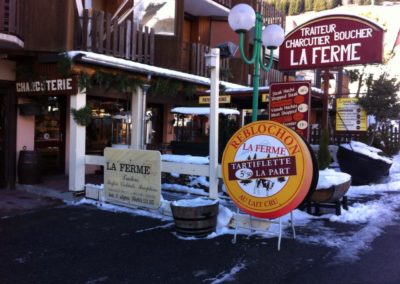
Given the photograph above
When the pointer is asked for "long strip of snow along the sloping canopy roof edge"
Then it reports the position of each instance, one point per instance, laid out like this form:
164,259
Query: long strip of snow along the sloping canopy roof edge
128,65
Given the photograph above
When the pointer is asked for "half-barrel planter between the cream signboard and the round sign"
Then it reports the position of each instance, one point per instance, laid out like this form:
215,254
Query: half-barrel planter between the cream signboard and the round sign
197,221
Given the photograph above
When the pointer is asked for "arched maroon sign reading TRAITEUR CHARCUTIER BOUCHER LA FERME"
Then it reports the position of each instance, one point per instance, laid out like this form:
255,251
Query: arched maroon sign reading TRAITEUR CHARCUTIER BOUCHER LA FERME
330,41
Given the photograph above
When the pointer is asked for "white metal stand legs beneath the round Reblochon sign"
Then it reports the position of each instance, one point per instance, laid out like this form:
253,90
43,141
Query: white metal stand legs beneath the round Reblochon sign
254,229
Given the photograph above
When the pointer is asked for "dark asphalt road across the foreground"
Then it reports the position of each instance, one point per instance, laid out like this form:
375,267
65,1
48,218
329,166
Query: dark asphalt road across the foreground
82,244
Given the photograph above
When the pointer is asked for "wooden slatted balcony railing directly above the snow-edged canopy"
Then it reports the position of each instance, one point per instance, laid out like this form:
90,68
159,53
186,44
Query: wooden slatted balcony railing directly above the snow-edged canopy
125,39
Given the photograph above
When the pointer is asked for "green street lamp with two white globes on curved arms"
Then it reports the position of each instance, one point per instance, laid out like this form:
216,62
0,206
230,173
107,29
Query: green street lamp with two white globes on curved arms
241,19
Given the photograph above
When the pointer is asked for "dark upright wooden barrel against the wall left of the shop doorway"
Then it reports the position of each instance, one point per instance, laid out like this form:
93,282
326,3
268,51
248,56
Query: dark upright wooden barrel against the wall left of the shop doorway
29,167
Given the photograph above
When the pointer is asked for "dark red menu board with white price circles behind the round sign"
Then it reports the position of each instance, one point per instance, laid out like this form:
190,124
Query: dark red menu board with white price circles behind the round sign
290,105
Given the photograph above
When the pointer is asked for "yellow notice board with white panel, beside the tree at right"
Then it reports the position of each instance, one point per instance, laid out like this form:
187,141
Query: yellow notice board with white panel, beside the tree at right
350,116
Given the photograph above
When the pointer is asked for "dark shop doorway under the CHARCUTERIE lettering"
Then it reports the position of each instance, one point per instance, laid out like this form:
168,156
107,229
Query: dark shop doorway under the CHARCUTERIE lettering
50,135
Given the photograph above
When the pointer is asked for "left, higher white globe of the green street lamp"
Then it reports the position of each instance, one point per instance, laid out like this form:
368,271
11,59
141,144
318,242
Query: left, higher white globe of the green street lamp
241,18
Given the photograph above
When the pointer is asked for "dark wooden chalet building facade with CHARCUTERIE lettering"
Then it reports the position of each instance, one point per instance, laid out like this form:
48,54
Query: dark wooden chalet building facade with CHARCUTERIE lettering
45,42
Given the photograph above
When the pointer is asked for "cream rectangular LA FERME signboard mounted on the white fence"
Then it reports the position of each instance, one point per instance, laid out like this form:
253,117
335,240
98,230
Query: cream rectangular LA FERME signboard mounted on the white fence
132,177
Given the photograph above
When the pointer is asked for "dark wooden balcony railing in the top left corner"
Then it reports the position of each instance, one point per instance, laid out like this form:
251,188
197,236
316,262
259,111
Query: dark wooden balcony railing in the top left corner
10,17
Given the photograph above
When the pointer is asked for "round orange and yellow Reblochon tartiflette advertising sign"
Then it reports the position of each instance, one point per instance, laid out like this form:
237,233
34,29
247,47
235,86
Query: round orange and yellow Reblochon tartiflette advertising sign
267,169
